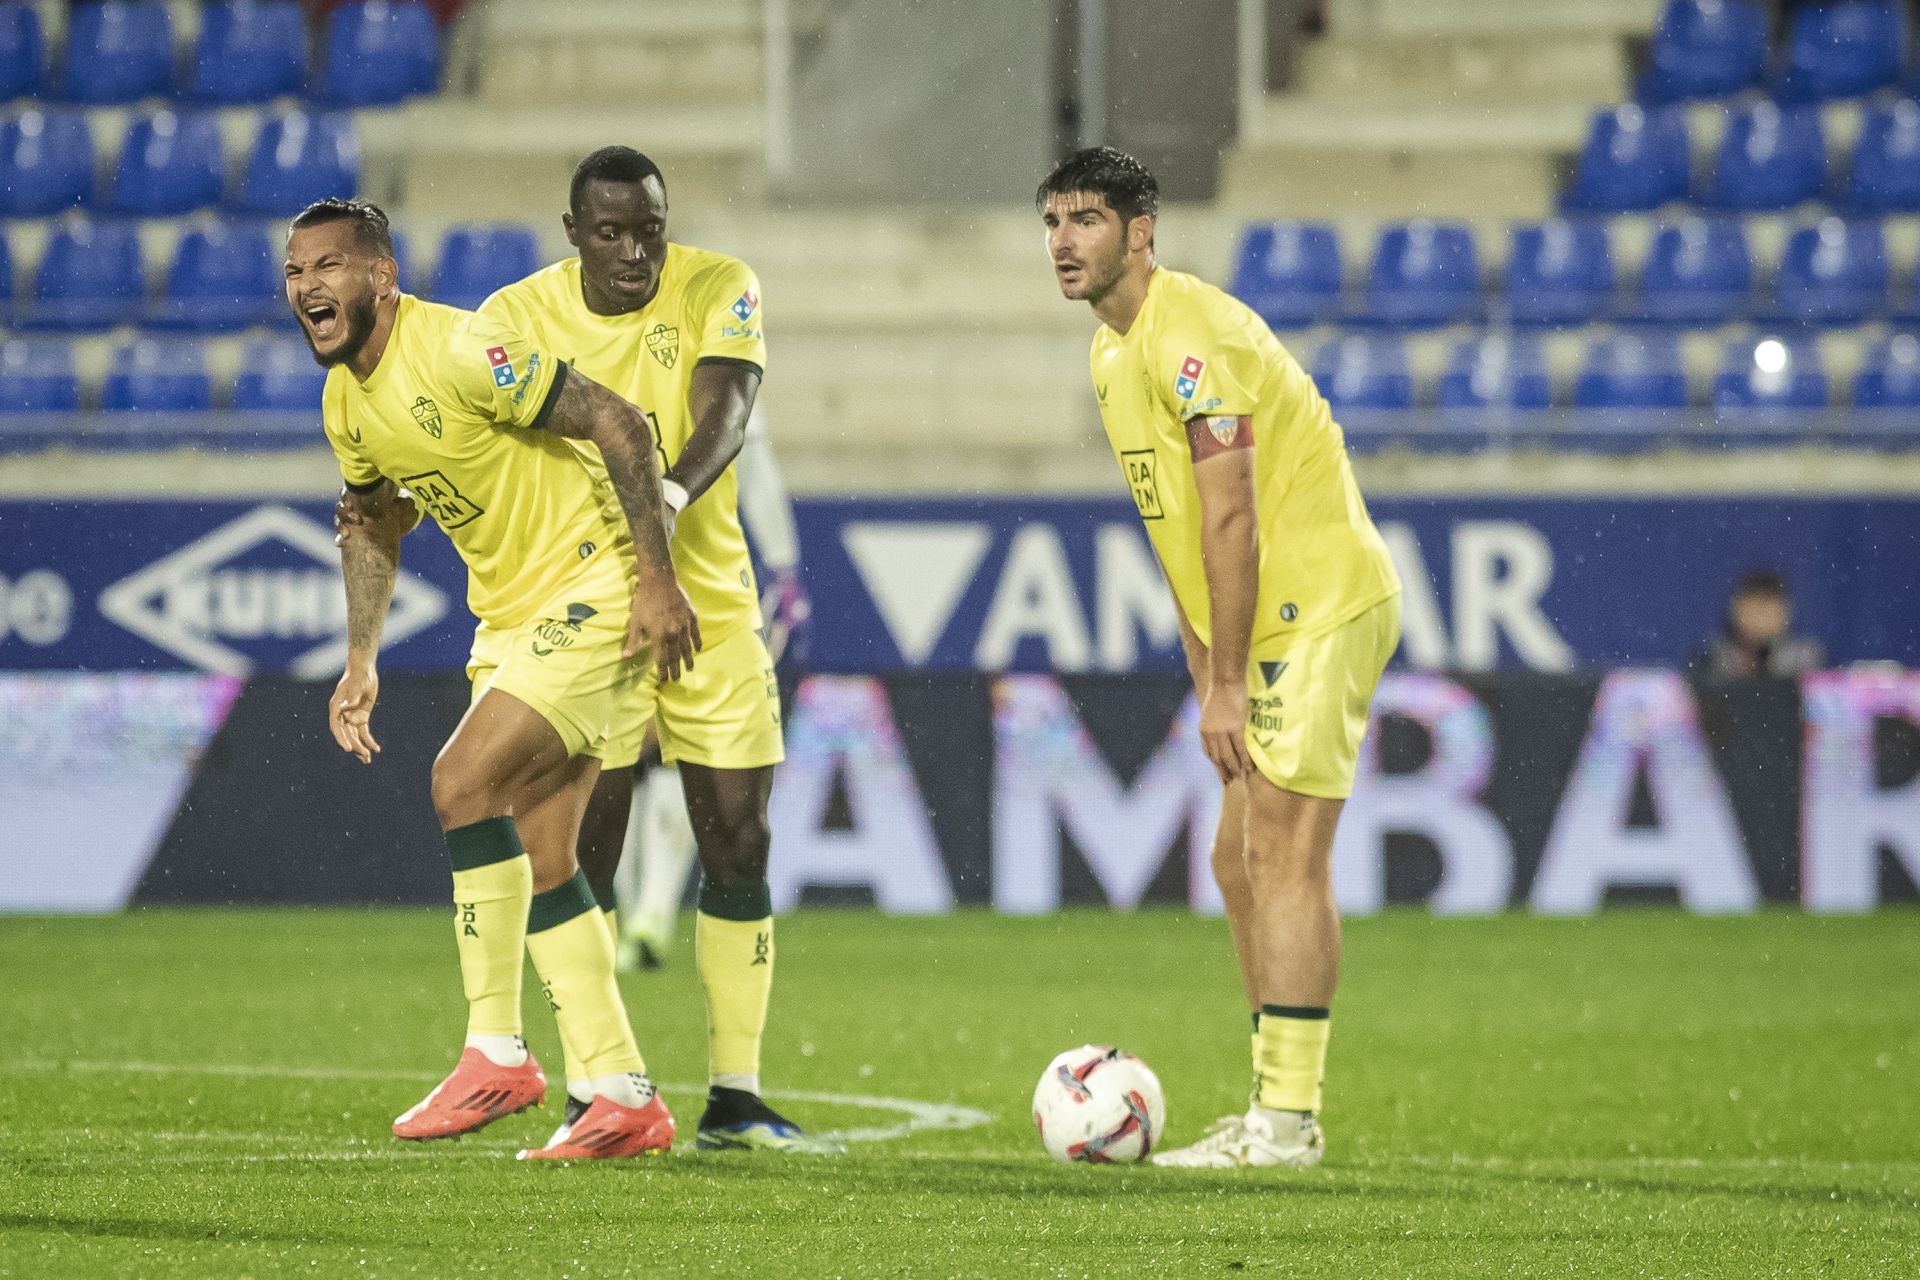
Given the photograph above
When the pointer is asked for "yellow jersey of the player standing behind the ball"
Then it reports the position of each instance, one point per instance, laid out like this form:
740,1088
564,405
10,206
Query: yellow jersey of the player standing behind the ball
1197,352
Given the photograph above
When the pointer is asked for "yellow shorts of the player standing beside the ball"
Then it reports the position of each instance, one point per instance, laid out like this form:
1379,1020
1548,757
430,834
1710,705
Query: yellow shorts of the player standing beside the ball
1310,703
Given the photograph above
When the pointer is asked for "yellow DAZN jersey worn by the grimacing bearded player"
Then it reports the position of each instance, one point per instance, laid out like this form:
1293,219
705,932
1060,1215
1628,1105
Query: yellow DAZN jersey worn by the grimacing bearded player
454,414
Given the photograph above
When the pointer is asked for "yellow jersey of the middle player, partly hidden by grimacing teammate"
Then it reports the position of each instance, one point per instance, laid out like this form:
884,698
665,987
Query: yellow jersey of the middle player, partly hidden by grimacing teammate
708,308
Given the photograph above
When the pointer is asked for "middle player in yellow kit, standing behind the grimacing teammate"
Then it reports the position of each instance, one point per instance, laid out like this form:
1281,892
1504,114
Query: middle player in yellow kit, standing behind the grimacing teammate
681,331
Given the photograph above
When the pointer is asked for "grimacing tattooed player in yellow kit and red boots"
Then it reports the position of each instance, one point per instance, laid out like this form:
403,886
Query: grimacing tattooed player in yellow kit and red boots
569,577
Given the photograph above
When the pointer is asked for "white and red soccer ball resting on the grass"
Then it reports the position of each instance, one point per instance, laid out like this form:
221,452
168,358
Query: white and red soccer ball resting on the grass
1099,1106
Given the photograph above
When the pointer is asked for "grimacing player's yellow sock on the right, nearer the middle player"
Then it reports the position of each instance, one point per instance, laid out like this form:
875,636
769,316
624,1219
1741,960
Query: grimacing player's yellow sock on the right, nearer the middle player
573,953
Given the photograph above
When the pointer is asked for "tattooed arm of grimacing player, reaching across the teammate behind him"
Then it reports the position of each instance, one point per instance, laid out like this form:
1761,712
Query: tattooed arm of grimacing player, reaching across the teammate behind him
661,615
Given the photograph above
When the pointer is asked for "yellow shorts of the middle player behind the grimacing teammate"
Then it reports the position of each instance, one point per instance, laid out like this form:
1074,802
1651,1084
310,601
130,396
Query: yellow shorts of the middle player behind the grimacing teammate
723,715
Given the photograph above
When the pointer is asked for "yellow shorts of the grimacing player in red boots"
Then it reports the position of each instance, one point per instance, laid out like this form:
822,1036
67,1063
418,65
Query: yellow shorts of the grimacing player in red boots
567,667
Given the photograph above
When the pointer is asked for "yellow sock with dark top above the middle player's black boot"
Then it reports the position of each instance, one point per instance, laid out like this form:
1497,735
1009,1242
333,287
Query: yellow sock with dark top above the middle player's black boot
734,953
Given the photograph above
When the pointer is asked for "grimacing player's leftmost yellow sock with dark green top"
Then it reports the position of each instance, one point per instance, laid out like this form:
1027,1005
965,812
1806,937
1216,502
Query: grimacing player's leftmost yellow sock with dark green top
492,886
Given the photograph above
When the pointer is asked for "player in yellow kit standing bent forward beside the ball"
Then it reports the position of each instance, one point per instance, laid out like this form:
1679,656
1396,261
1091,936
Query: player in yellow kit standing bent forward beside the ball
1289,609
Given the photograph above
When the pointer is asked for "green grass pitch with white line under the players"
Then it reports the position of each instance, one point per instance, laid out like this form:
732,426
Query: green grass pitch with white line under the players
1639,1095
